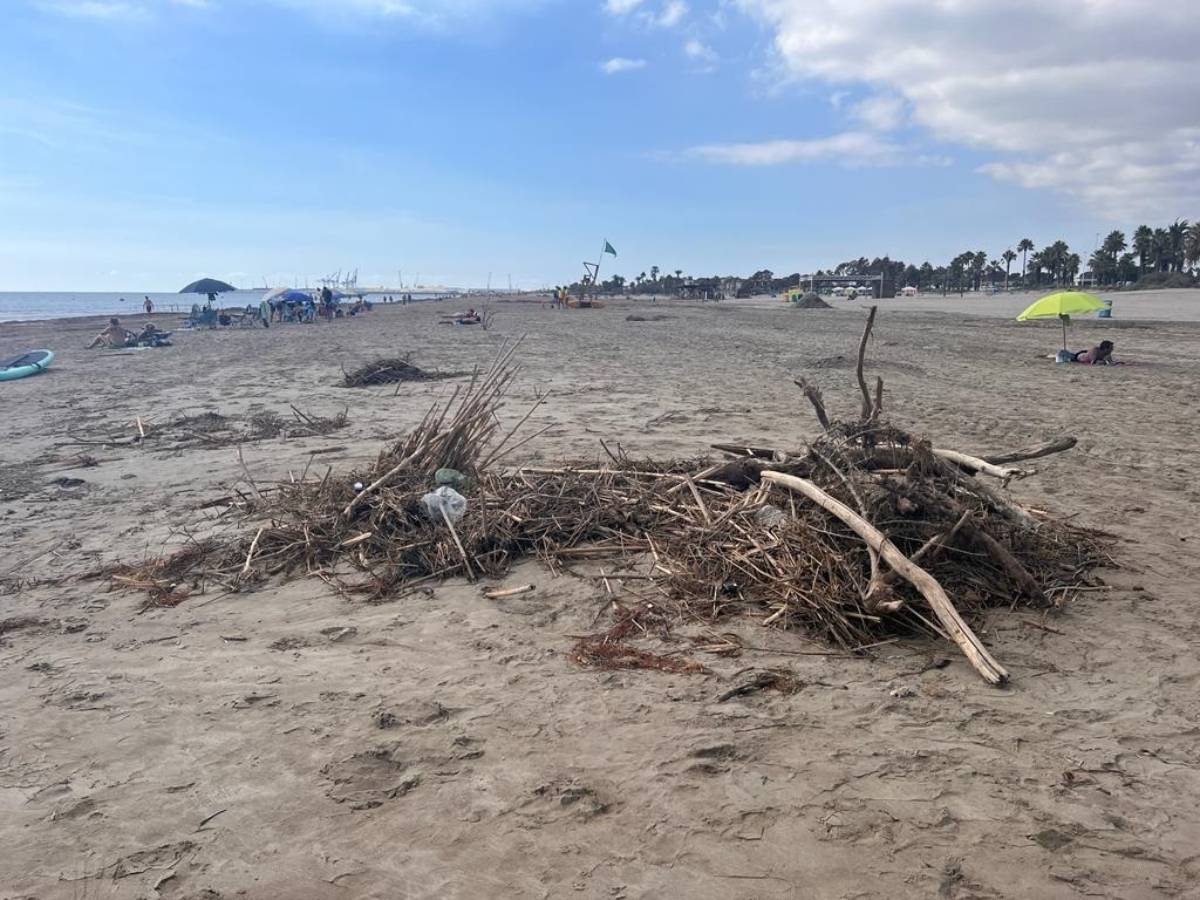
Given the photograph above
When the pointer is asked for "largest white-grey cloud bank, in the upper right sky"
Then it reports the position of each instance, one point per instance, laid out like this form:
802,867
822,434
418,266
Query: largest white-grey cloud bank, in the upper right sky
1096,99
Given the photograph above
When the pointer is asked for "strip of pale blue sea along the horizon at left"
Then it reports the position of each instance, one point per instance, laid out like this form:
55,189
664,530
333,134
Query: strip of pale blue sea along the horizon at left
62,305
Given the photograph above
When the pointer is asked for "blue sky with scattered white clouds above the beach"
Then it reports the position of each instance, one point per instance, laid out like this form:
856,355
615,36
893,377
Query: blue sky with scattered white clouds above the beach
145,143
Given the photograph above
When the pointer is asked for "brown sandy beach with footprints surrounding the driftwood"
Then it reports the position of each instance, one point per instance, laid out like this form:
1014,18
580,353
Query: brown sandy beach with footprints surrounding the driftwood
291,742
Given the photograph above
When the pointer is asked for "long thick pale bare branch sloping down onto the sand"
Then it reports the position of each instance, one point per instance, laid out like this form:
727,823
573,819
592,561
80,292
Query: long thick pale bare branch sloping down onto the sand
959,632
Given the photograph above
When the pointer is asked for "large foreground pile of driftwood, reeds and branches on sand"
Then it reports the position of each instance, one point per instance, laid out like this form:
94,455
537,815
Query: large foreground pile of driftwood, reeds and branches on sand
866,532
